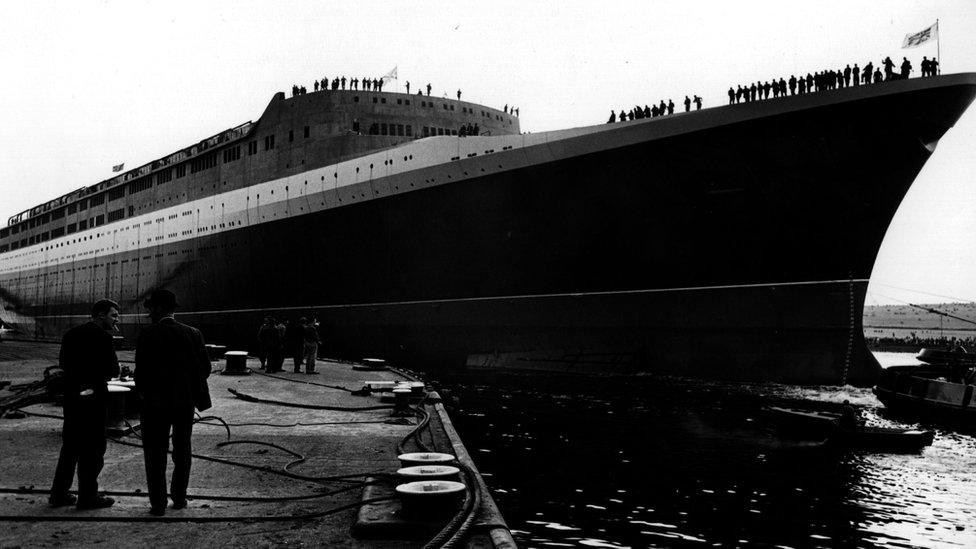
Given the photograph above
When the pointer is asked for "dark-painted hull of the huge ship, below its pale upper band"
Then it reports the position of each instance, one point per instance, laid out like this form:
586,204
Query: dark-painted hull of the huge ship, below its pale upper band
737,248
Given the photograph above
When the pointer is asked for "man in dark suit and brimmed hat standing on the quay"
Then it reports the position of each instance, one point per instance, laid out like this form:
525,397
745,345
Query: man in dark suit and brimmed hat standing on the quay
171,373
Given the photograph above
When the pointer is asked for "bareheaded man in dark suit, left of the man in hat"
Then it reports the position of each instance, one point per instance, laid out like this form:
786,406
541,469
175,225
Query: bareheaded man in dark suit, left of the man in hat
88,359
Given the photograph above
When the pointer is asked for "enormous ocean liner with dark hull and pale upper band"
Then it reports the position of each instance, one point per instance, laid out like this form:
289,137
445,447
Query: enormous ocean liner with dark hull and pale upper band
733,242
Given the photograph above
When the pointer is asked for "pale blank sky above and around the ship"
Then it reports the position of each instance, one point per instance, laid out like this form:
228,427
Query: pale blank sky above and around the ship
90,84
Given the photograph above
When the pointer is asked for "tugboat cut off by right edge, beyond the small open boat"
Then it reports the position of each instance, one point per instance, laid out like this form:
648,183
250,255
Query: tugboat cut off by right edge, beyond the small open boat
940,389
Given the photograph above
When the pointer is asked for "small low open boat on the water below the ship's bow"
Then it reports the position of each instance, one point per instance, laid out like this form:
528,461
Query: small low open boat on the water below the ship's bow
825,426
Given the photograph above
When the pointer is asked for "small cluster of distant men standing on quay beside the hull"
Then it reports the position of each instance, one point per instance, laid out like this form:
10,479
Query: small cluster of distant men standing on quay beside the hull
298,340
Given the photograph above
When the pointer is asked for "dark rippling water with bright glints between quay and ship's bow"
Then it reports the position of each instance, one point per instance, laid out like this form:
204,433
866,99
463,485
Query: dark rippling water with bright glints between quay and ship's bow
652,462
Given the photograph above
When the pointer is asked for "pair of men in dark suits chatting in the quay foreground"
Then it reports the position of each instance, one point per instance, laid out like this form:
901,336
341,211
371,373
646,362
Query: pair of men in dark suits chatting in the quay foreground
171,370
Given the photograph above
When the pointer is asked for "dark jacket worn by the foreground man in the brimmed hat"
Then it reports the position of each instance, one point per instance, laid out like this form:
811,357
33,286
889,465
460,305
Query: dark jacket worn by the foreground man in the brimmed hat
172,367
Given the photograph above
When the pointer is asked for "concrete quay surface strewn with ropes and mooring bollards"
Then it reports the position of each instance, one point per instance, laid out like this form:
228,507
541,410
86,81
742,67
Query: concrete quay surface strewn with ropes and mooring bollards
233,505
